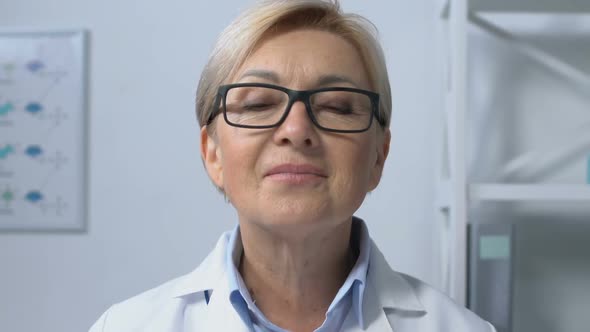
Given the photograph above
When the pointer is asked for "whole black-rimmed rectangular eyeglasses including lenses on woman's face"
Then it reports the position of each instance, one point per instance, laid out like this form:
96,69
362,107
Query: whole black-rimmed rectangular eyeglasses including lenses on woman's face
260,106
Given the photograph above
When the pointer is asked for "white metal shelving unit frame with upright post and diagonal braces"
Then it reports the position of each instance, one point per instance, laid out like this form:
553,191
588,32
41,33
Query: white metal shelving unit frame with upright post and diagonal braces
454,192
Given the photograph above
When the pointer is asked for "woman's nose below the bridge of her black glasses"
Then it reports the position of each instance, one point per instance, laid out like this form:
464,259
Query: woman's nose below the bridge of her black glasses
297,129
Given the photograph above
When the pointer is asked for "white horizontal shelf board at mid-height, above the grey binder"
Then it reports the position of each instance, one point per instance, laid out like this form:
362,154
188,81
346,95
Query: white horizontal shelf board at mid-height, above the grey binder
529,192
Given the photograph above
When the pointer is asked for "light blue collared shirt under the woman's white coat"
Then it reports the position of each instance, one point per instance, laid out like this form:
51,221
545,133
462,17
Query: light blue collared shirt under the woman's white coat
349,296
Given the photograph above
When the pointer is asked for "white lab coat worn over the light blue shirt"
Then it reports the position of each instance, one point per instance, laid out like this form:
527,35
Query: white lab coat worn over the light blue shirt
392,302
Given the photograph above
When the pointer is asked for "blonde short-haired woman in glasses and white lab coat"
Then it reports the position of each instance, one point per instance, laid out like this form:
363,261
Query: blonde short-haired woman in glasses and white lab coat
294,107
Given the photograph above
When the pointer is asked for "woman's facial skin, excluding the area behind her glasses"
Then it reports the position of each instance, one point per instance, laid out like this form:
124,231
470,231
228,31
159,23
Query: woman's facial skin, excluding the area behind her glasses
296,176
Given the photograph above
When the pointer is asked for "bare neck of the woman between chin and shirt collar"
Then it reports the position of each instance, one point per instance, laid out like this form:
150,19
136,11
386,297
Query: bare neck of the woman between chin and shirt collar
294,279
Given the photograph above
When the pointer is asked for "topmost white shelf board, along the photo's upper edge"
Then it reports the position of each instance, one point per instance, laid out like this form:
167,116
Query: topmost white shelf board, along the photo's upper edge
530,6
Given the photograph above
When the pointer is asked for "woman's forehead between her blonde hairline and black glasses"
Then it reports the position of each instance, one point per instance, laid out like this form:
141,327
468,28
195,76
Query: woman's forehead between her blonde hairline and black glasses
301,58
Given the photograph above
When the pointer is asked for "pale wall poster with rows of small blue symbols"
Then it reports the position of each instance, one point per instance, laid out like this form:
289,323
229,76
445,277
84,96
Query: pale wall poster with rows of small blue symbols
43,136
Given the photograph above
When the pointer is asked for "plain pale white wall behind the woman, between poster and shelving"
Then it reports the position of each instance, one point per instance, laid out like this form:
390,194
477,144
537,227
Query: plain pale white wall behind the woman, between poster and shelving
153,213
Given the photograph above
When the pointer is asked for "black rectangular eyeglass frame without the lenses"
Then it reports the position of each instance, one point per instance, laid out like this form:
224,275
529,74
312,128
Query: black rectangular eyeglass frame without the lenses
294,96
